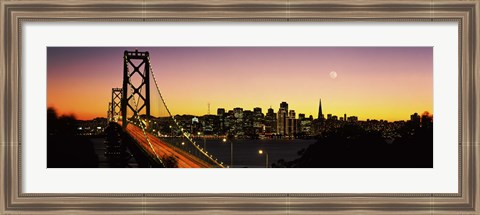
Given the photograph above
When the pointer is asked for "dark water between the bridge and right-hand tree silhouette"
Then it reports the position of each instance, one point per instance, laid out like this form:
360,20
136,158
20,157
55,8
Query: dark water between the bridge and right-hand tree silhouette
245,152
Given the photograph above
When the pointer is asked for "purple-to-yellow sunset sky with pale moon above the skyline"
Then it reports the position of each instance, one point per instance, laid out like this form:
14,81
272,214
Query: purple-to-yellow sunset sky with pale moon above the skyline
389,83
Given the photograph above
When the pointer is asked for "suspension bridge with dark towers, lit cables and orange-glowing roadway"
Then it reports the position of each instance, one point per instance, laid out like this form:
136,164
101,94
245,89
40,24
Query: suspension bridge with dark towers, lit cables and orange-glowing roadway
155,141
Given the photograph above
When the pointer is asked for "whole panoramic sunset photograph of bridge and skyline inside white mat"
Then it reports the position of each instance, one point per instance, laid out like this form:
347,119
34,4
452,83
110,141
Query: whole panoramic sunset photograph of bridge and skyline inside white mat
240,107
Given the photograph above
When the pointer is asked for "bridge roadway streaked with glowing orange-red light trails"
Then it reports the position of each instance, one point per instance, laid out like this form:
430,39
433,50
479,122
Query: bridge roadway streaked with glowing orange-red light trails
184,160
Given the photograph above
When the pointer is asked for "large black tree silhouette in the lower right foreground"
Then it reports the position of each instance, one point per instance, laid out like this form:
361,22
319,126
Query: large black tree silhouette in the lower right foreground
351,146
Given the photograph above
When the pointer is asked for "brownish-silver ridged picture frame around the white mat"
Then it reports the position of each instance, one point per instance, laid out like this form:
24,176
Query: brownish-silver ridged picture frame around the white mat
14,13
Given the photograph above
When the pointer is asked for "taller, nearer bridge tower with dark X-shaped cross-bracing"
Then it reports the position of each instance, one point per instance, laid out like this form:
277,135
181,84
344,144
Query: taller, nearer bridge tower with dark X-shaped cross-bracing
137,60
